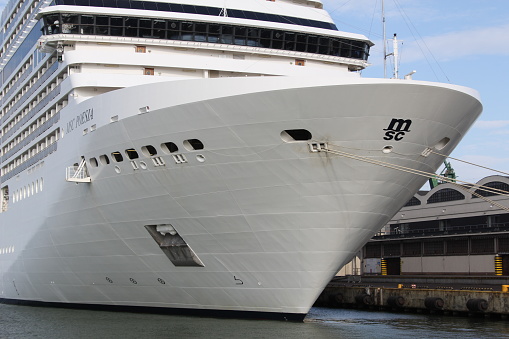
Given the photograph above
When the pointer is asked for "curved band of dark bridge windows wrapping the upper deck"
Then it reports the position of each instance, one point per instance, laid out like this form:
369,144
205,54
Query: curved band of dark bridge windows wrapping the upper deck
203,32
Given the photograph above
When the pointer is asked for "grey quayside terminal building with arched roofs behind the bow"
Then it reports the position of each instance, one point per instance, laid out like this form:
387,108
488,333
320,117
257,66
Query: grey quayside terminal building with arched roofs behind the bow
450,230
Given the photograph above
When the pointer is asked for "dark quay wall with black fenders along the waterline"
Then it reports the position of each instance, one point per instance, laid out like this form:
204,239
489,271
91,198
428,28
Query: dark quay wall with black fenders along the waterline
479,296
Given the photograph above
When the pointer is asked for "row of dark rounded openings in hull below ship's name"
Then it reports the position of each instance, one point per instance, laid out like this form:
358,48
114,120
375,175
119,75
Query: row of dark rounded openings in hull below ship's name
148,151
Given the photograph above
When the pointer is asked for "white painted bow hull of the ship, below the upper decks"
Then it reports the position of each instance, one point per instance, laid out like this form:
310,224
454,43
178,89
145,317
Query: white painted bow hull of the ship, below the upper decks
271,221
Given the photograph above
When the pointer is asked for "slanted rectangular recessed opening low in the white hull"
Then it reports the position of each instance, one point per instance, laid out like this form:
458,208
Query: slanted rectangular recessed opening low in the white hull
173,245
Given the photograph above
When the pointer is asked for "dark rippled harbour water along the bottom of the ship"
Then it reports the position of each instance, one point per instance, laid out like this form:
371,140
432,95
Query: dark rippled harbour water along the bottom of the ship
36,322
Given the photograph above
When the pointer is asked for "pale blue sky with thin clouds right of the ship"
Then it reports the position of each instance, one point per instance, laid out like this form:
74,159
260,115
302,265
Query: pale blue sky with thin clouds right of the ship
463,42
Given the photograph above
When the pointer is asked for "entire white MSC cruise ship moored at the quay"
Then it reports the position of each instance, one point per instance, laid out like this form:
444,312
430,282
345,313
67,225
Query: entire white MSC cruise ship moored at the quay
200,156
